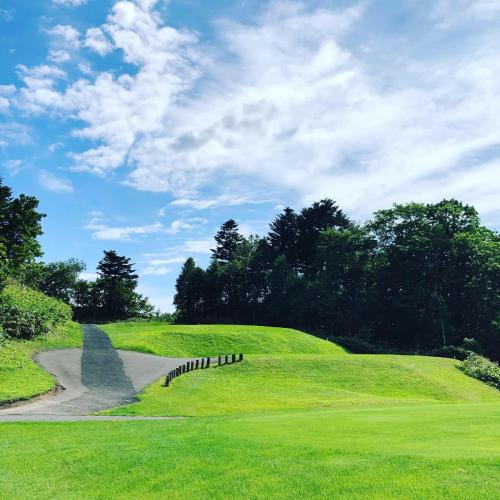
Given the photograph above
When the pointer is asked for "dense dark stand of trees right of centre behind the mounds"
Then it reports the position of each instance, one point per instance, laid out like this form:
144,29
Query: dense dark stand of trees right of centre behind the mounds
416,277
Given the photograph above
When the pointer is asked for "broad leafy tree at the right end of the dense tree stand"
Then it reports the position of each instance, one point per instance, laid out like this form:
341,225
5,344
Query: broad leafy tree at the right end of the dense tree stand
435,274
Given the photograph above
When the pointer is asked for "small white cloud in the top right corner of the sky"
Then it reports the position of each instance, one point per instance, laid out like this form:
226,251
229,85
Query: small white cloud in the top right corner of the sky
450,13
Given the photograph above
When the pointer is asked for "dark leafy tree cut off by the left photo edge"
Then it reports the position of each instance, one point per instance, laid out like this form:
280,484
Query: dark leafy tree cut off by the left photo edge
20,226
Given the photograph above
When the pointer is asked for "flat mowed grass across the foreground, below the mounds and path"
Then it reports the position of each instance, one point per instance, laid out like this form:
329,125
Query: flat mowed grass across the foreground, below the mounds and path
429,451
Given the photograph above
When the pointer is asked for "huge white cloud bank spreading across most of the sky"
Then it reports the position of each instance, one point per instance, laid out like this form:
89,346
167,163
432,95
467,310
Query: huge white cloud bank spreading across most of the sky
288,102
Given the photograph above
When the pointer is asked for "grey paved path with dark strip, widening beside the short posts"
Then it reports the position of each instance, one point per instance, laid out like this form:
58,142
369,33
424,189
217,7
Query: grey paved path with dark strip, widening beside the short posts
94,378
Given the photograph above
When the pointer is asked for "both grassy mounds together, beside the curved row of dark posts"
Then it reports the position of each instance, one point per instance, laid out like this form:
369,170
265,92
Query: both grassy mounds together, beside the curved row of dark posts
293,370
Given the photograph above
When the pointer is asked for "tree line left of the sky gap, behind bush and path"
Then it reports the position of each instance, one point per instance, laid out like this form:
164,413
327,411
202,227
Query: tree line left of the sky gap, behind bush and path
111,296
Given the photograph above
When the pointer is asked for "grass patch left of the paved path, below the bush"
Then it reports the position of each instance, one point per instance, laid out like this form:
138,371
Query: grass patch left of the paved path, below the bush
20,377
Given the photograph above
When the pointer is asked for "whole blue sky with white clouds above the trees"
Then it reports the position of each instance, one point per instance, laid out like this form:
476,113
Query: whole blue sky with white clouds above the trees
142,125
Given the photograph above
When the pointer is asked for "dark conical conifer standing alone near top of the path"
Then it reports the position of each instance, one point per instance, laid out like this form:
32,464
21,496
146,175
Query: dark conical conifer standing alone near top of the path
117,283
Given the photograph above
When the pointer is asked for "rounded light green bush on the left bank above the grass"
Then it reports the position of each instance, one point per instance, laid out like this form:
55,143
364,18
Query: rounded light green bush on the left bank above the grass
25,313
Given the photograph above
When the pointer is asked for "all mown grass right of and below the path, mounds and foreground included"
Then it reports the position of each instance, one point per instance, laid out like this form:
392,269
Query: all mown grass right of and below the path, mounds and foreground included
299,417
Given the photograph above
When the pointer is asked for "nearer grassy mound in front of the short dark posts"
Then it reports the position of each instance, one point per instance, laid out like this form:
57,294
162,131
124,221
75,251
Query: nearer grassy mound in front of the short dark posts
281,382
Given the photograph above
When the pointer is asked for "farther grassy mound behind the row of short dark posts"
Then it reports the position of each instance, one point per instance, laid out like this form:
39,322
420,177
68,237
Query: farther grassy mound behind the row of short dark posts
211,340
